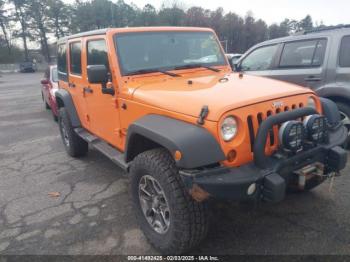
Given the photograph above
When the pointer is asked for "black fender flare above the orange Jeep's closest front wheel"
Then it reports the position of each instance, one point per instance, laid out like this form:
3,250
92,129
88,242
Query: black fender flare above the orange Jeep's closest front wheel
197,146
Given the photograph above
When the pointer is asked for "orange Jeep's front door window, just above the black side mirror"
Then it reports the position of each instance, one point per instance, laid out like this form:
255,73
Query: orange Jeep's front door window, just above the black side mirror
97,52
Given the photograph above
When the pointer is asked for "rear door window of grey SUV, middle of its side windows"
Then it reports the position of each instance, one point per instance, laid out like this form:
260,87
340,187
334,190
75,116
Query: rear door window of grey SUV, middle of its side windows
308,53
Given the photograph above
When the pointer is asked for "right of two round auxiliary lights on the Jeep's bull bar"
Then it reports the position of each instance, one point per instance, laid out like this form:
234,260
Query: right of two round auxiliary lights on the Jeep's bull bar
316,127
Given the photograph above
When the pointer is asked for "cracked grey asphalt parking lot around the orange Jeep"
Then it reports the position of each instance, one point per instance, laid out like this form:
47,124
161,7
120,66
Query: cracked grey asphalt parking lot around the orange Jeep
53,204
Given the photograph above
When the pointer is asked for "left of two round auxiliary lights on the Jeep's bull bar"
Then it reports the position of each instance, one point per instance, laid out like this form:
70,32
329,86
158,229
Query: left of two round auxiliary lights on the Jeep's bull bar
291,135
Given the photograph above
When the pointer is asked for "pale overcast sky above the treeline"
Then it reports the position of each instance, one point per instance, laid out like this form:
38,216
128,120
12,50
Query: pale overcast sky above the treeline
271,11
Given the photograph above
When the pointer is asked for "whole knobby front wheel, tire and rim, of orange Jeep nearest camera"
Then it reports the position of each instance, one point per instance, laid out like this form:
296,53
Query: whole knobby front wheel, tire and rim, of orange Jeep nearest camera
172,221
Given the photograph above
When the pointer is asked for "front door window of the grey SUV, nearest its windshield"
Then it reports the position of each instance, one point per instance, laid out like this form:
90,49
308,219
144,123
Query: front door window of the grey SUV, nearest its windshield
259,59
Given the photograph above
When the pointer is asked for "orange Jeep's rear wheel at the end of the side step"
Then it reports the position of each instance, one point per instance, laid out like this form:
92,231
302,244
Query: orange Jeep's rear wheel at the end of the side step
74,145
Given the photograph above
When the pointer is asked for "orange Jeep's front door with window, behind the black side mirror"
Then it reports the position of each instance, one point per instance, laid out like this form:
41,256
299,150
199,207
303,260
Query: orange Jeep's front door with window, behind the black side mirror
103,112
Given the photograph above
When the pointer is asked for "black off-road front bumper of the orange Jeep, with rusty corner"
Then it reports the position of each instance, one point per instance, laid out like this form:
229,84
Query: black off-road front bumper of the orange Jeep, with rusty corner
272,177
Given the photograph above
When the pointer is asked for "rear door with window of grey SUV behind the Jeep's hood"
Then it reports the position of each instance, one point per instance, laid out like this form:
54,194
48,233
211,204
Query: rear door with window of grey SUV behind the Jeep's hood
302,62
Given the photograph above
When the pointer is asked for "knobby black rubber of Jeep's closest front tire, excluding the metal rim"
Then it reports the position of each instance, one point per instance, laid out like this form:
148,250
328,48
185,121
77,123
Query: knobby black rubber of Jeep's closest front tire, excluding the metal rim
191,223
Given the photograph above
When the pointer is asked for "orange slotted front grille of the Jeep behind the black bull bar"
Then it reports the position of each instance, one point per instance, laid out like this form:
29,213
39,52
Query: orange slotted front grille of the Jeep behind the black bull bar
254,122
